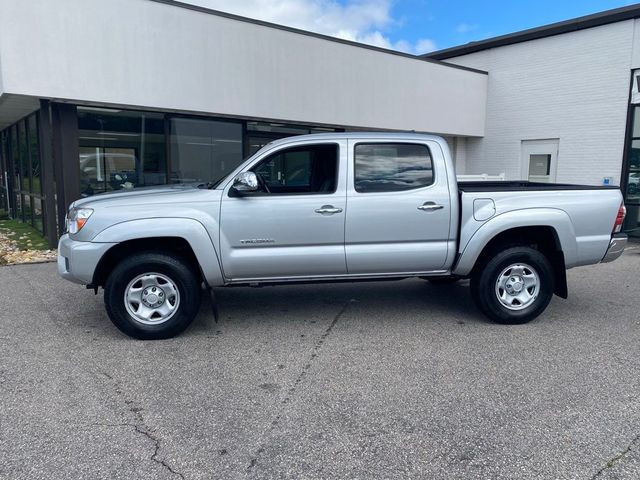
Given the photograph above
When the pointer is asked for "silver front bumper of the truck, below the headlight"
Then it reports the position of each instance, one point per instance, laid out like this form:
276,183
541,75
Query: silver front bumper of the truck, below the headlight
78,260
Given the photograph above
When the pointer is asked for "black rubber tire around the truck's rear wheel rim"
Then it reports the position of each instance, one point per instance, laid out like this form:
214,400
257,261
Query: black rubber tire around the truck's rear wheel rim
484,285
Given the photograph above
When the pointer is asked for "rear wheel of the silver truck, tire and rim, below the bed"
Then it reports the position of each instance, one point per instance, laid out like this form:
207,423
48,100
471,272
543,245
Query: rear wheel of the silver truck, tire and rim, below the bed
515,286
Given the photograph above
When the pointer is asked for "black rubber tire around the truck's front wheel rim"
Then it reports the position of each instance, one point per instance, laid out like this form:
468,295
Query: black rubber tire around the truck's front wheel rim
182,275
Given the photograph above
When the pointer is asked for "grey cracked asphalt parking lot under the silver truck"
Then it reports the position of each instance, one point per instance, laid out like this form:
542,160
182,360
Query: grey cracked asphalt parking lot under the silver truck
372,380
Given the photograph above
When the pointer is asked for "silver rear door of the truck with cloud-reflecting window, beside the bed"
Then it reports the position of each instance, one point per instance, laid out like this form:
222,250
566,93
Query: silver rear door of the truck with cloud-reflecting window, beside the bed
398,207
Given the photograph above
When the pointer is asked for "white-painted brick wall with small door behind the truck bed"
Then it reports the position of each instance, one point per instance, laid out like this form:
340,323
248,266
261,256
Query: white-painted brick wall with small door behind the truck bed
573,86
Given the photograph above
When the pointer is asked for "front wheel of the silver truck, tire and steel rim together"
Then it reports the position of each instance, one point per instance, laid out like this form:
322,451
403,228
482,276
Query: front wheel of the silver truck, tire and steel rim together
152,296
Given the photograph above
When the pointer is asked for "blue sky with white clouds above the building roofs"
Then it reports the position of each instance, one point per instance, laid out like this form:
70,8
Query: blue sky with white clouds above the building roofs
412,26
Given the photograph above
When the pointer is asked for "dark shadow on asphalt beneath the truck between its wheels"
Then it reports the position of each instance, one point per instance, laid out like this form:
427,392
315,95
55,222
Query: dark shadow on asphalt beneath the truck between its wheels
374,303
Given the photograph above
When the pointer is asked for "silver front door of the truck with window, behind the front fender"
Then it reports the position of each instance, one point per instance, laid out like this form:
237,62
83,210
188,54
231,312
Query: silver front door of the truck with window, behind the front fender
294,225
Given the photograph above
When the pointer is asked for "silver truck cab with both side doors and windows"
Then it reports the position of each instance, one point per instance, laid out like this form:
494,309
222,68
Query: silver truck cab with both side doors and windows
341,206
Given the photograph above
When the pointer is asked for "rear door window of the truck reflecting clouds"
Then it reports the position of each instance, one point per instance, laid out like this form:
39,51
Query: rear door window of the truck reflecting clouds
392,167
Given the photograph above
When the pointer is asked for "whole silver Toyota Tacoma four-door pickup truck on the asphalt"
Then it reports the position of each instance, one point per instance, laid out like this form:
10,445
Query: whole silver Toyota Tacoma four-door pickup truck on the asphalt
333,207
